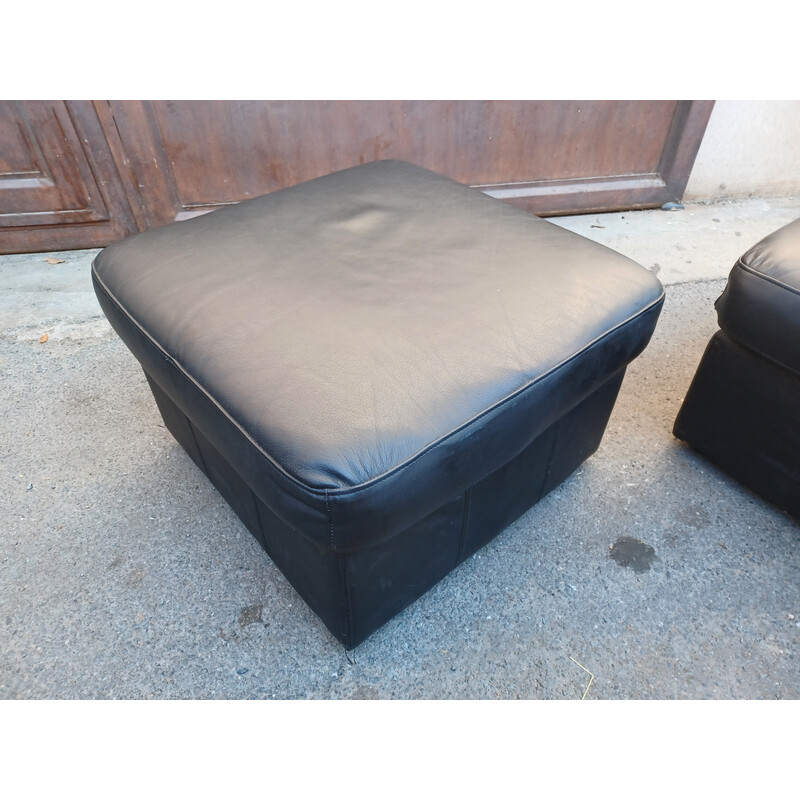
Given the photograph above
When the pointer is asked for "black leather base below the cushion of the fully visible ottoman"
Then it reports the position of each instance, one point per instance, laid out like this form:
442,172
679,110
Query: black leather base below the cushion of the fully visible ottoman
355,593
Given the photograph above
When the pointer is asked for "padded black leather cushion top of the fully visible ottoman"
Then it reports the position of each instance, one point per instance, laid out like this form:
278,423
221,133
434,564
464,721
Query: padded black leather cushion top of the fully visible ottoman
380,330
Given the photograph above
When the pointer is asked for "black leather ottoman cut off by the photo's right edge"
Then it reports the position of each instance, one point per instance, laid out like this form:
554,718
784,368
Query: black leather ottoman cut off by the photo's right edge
742,410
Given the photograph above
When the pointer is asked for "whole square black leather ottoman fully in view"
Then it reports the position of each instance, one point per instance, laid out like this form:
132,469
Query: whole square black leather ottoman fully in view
379,369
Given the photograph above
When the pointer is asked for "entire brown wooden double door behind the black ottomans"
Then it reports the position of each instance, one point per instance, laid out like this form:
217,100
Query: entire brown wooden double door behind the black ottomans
83,174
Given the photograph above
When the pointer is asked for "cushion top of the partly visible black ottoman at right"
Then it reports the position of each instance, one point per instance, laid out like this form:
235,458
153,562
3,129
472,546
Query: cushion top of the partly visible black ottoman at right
760,306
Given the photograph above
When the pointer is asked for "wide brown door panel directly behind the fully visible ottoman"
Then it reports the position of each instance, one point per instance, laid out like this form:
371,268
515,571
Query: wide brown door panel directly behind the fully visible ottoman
549,156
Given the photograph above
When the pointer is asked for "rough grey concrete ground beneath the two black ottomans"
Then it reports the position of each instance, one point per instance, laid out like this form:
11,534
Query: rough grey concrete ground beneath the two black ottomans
124,575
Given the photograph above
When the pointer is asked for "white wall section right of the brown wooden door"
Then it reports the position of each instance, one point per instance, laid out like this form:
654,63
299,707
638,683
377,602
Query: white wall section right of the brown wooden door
750,148
